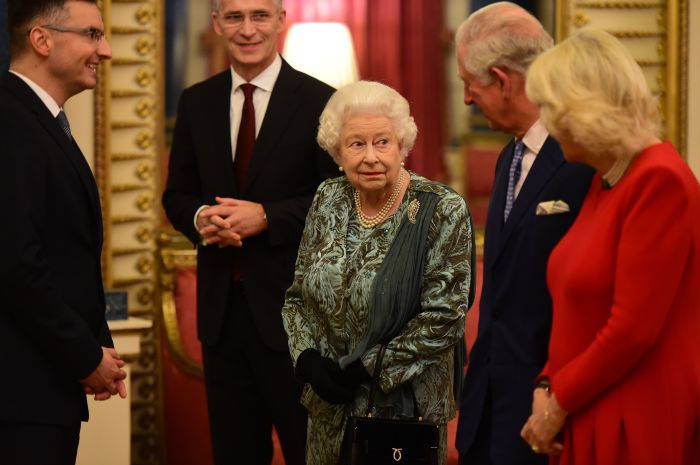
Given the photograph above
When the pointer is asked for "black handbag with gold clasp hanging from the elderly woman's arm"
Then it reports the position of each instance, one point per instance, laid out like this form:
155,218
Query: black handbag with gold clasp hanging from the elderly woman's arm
379,441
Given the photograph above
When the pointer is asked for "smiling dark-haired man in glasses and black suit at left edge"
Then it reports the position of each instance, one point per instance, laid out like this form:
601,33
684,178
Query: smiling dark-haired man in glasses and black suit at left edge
54,342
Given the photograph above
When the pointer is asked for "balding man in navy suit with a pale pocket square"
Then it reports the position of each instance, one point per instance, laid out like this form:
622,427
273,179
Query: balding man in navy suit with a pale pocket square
536,197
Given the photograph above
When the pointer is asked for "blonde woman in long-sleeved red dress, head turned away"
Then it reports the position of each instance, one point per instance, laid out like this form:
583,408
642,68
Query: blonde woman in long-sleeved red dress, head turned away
622,383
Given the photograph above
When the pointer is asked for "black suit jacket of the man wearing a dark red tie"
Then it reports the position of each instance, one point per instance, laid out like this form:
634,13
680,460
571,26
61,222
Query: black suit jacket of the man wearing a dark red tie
286,168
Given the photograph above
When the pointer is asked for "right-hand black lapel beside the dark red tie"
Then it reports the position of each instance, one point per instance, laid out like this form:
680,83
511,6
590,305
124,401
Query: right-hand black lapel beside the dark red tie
283,102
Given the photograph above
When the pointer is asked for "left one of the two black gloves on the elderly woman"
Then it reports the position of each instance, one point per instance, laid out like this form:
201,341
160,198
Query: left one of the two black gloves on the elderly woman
321,372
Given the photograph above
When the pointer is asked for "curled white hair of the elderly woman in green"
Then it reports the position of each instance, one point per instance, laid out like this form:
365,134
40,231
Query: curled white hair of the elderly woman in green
366,98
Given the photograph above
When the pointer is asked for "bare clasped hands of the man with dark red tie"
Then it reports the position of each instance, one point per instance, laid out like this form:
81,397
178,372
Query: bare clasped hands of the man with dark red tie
230,221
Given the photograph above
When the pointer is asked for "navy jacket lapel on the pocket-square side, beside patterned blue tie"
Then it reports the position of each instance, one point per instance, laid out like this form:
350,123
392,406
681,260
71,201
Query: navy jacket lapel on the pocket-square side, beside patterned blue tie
547,162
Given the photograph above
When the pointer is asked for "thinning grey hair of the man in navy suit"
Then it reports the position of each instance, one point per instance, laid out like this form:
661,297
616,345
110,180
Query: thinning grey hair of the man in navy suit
501,34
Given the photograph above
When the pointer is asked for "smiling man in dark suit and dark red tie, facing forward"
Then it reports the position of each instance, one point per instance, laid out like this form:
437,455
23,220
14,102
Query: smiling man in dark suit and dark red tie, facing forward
239,186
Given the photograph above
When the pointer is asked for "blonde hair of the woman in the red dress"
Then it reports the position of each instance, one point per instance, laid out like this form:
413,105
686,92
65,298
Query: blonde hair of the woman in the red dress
590,88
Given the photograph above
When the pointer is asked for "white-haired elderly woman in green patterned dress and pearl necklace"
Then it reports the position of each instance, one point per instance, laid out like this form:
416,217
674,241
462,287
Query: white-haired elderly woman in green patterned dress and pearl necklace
366,275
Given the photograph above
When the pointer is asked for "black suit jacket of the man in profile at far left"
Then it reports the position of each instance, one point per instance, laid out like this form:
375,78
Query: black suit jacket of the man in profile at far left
52,309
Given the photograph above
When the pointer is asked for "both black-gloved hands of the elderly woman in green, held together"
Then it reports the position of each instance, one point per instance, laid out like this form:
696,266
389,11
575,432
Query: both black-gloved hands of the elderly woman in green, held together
326,378
